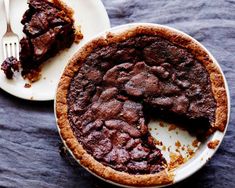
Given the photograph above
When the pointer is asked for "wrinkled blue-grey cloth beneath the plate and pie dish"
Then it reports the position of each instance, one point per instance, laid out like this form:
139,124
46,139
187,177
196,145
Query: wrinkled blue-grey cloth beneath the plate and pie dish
29,141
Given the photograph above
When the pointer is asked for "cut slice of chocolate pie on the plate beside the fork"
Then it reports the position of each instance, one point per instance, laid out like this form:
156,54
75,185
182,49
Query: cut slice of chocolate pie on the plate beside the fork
48,28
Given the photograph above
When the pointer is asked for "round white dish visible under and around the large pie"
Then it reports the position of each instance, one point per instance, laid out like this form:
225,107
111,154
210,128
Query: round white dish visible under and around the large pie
169,138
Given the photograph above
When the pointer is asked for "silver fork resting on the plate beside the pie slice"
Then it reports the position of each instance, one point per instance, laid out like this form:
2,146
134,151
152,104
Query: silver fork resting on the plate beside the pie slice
10,40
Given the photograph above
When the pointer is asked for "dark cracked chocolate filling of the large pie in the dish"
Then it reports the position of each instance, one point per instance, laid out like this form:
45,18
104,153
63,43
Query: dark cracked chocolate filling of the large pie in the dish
121,86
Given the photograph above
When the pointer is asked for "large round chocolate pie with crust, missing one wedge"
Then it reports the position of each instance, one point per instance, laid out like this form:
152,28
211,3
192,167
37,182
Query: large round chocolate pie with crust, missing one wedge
116,83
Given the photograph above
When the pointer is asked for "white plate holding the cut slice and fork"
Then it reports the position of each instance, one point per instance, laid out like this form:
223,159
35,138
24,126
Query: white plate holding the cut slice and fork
92,17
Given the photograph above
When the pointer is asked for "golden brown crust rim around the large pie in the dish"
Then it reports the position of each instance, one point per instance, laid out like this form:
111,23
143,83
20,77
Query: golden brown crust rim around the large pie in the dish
87,160
